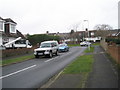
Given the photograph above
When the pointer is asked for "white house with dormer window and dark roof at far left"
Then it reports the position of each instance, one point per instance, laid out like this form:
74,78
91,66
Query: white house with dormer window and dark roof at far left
8,32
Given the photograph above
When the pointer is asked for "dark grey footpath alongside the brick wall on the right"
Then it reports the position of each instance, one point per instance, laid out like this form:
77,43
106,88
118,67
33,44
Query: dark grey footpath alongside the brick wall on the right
104,74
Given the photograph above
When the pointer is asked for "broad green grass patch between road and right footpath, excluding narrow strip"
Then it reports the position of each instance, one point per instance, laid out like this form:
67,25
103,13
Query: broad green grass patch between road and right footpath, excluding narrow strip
82,64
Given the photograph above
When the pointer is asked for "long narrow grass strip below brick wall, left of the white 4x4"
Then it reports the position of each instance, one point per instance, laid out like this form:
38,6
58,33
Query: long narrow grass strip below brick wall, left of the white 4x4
16,60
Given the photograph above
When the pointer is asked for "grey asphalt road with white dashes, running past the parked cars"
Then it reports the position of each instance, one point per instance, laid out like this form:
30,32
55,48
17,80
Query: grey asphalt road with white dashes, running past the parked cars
34,73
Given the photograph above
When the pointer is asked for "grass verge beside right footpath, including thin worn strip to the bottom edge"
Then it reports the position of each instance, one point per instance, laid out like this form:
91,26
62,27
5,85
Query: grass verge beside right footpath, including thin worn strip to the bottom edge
83,66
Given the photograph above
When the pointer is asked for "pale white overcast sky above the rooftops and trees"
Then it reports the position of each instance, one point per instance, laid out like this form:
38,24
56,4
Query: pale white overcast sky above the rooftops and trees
39,16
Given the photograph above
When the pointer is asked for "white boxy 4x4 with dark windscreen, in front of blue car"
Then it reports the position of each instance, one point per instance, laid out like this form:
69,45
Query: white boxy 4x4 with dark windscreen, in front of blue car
47,48
